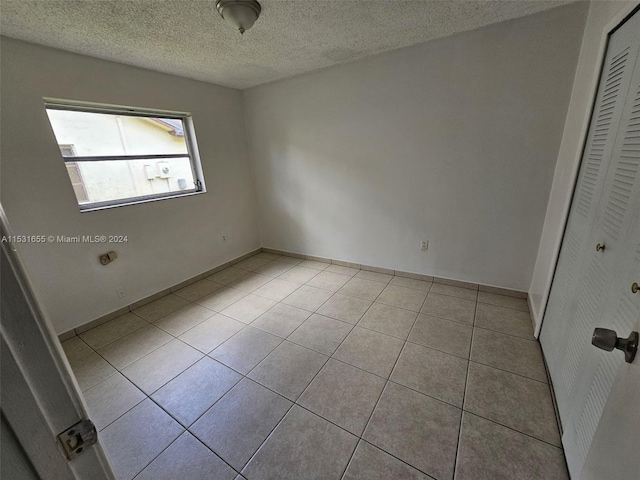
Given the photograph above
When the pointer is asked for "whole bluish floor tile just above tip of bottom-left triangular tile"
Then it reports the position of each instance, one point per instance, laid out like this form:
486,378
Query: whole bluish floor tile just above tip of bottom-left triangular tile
192,393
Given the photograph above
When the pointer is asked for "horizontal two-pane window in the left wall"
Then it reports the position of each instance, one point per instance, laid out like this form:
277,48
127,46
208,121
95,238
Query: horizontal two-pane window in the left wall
120,156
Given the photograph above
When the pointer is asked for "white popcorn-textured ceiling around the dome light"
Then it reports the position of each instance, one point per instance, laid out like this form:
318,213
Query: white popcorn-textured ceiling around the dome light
188,37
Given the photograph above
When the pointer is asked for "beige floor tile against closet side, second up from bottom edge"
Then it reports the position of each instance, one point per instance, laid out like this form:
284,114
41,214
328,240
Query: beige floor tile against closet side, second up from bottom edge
513,401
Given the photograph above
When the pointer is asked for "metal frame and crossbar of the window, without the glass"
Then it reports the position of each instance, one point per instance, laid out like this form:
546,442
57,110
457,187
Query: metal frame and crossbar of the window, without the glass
190,141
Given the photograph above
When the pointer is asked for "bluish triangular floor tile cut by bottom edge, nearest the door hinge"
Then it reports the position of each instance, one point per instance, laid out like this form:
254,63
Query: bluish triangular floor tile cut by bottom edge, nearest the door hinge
189,459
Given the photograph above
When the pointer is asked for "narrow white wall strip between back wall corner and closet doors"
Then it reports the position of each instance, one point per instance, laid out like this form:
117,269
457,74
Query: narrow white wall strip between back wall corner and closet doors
583,93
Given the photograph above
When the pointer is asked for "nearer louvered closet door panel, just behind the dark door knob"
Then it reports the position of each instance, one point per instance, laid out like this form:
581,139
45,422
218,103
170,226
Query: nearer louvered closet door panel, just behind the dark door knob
587,371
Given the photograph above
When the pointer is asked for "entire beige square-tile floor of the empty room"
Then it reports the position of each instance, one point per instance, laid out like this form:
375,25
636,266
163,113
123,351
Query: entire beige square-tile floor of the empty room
278,368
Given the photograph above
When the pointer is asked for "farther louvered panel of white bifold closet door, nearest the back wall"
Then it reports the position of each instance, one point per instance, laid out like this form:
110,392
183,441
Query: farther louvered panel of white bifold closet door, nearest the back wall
570,275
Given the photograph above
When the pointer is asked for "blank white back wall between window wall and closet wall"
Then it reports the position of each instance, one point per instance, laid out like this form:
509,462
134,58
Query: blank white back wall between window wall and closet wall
454,141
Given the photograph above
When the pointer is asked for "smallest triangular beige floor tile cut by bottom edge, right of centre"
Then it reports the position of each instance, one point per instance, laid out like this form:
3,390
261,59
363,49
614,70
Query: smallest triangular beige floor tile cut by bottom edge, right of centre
371,463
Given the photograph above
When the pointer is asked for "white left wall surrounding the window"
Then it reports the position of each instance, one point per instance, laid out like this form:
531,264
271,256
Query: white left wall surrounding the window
169,240
